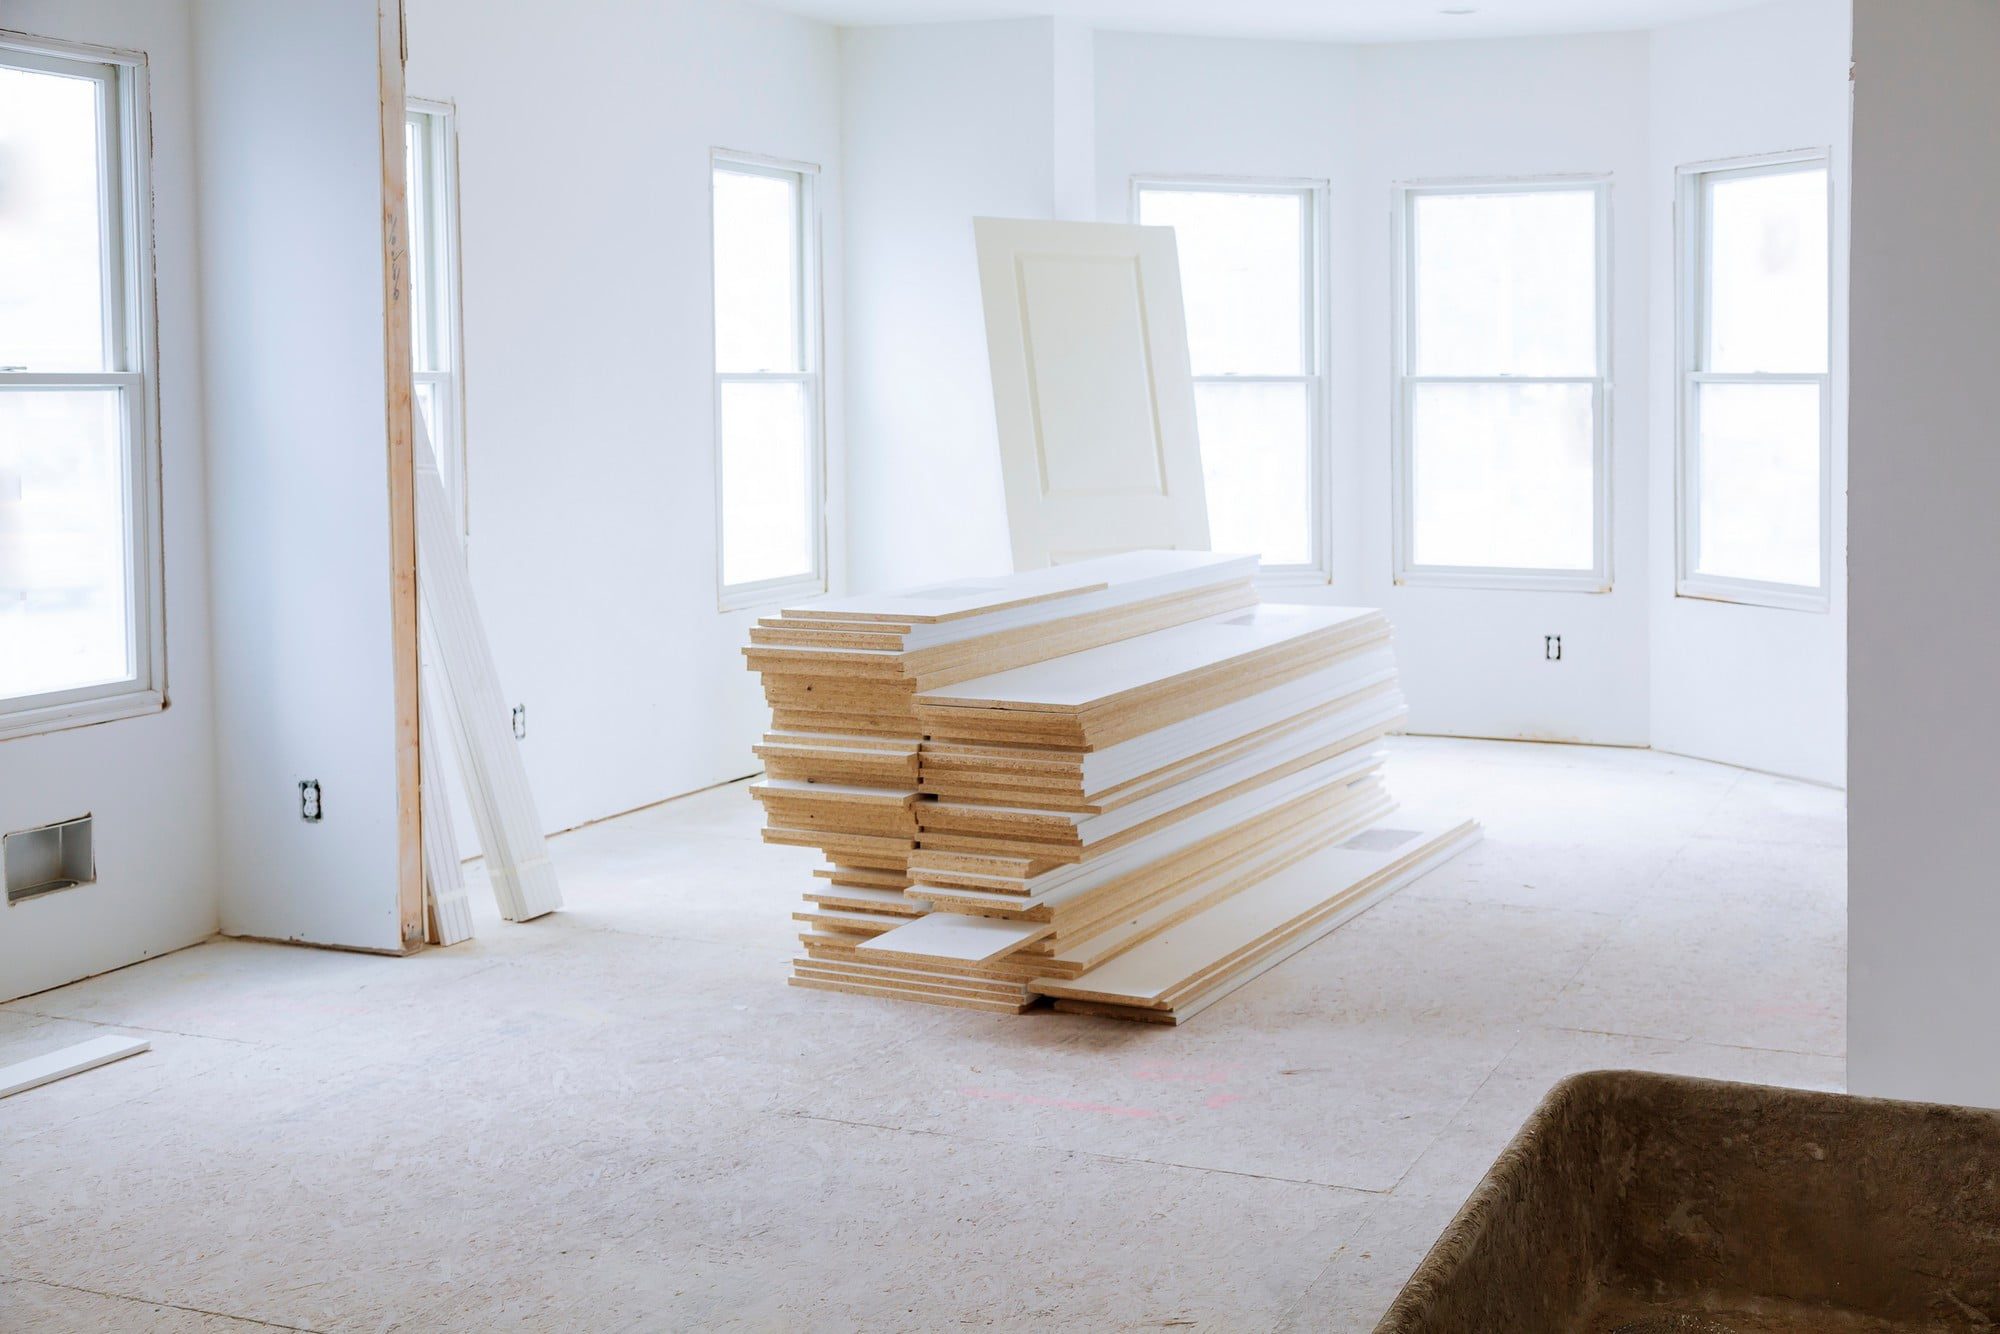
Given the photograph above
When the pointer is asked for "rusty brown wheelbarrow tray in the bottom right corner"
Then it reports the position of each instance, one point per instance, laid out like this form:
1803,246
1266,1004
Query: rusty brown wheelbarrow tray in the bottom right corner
1663,1205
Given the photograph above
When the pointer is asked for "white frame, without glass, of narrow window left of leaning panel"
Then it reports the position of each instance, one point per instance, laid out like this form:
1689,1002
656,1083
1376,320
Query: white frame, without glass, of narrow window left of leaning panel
811,357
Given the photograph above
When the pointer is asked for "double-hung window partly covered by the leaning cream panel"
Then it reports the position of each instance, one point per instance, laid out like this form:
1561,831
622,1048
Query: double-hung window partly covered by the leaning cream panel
1251,279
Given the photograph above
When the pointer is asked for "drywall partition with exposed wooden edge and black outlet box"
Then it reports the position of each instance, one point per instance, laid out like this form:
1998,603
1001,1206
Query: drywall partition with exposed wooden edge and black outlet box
291,187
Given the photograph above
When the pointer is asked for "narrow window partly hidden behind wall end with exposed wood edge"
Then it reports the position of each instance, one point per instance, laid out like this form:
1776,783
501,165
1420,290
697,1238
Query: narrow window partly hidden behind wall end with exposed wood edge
431,161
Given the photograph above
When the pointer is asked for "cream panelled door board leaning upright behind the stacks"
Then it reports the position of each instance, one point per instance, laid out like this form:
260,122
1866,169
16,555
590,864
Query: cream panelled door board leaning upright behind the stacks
1093,395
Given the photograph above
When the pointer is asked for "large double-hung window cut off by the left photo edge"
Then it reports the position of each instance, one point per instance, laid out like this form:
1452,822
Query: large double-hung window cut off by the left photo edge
79,501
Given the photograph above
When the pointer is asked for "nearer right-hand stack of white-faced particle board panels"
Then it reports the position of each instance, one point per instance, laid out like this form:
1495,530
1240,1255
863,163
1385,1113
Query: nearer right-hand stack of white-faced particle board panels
1125,807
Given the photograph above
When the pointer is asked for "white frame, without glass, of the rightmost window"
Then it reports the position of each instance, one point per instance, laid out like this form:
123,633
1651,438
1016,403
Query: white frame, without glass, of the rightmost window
1691,341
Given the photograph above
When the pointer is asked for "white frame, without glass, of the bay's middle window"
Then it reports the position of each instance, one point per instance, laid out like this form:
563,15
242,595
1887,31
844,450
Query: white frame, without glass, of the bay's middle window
1407,573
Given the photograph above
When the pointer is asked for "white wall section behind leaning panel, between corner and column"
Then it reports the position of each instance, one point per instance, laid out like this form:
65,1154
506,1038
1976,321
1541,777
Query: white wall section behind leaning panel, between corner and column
941,123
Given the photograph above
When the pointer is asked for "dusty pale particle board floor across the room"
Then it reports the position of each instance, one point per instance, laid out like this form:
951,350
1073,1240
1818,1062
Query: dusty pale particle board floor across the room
621,1117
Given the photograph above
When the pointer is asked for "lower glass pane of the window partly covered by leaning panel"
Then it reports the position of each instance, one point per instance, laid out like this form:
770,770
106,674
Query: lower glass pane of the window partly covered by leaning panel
1257,465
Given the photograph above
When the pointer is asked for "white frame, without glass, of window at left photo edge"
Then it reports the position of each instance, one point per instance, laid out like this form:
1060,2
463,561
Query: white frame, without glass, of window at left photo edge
131,337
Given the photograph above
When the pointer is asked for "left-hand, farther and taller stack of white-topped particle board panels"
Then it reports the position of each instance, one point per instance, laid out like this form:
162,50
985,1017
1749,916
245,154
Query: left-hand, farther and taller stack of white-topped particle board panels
841,675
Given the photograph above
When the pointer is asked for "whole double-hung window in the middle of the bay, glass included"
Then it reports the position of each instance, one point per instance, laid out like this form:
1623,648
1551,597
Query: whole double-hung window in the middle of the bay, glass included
1503,345
